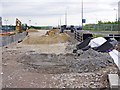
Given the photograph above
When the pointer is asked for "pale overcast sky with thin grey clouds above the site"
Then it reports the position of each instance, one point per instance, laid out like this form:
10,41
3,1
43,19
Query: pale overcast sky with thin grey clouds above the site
52,12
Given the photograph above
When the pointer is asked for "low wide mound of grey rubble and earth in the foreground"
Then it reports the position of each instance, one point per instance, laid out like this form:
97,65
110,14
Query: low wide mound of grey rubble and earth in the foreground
87,61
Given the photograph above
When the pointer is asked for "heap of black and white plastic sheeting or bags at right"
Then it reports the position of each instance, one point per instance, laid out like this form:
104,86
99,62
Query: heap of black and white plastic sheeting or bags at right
99,44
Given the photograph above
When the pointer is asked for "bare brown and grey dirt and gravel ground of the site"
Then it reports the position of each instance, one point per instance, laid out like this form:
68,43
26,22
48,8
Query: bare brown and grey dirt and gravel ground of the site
54,66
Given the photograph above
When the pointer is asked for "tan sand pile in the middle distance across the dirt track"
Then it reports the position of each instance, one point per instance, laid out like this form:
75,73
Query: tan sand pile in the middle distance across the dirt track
51,37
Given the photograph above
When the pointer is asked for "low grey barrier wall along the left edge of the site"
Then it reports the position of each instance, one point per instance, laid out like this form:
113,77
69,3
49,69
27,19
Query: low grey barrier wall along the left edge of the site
6,40
